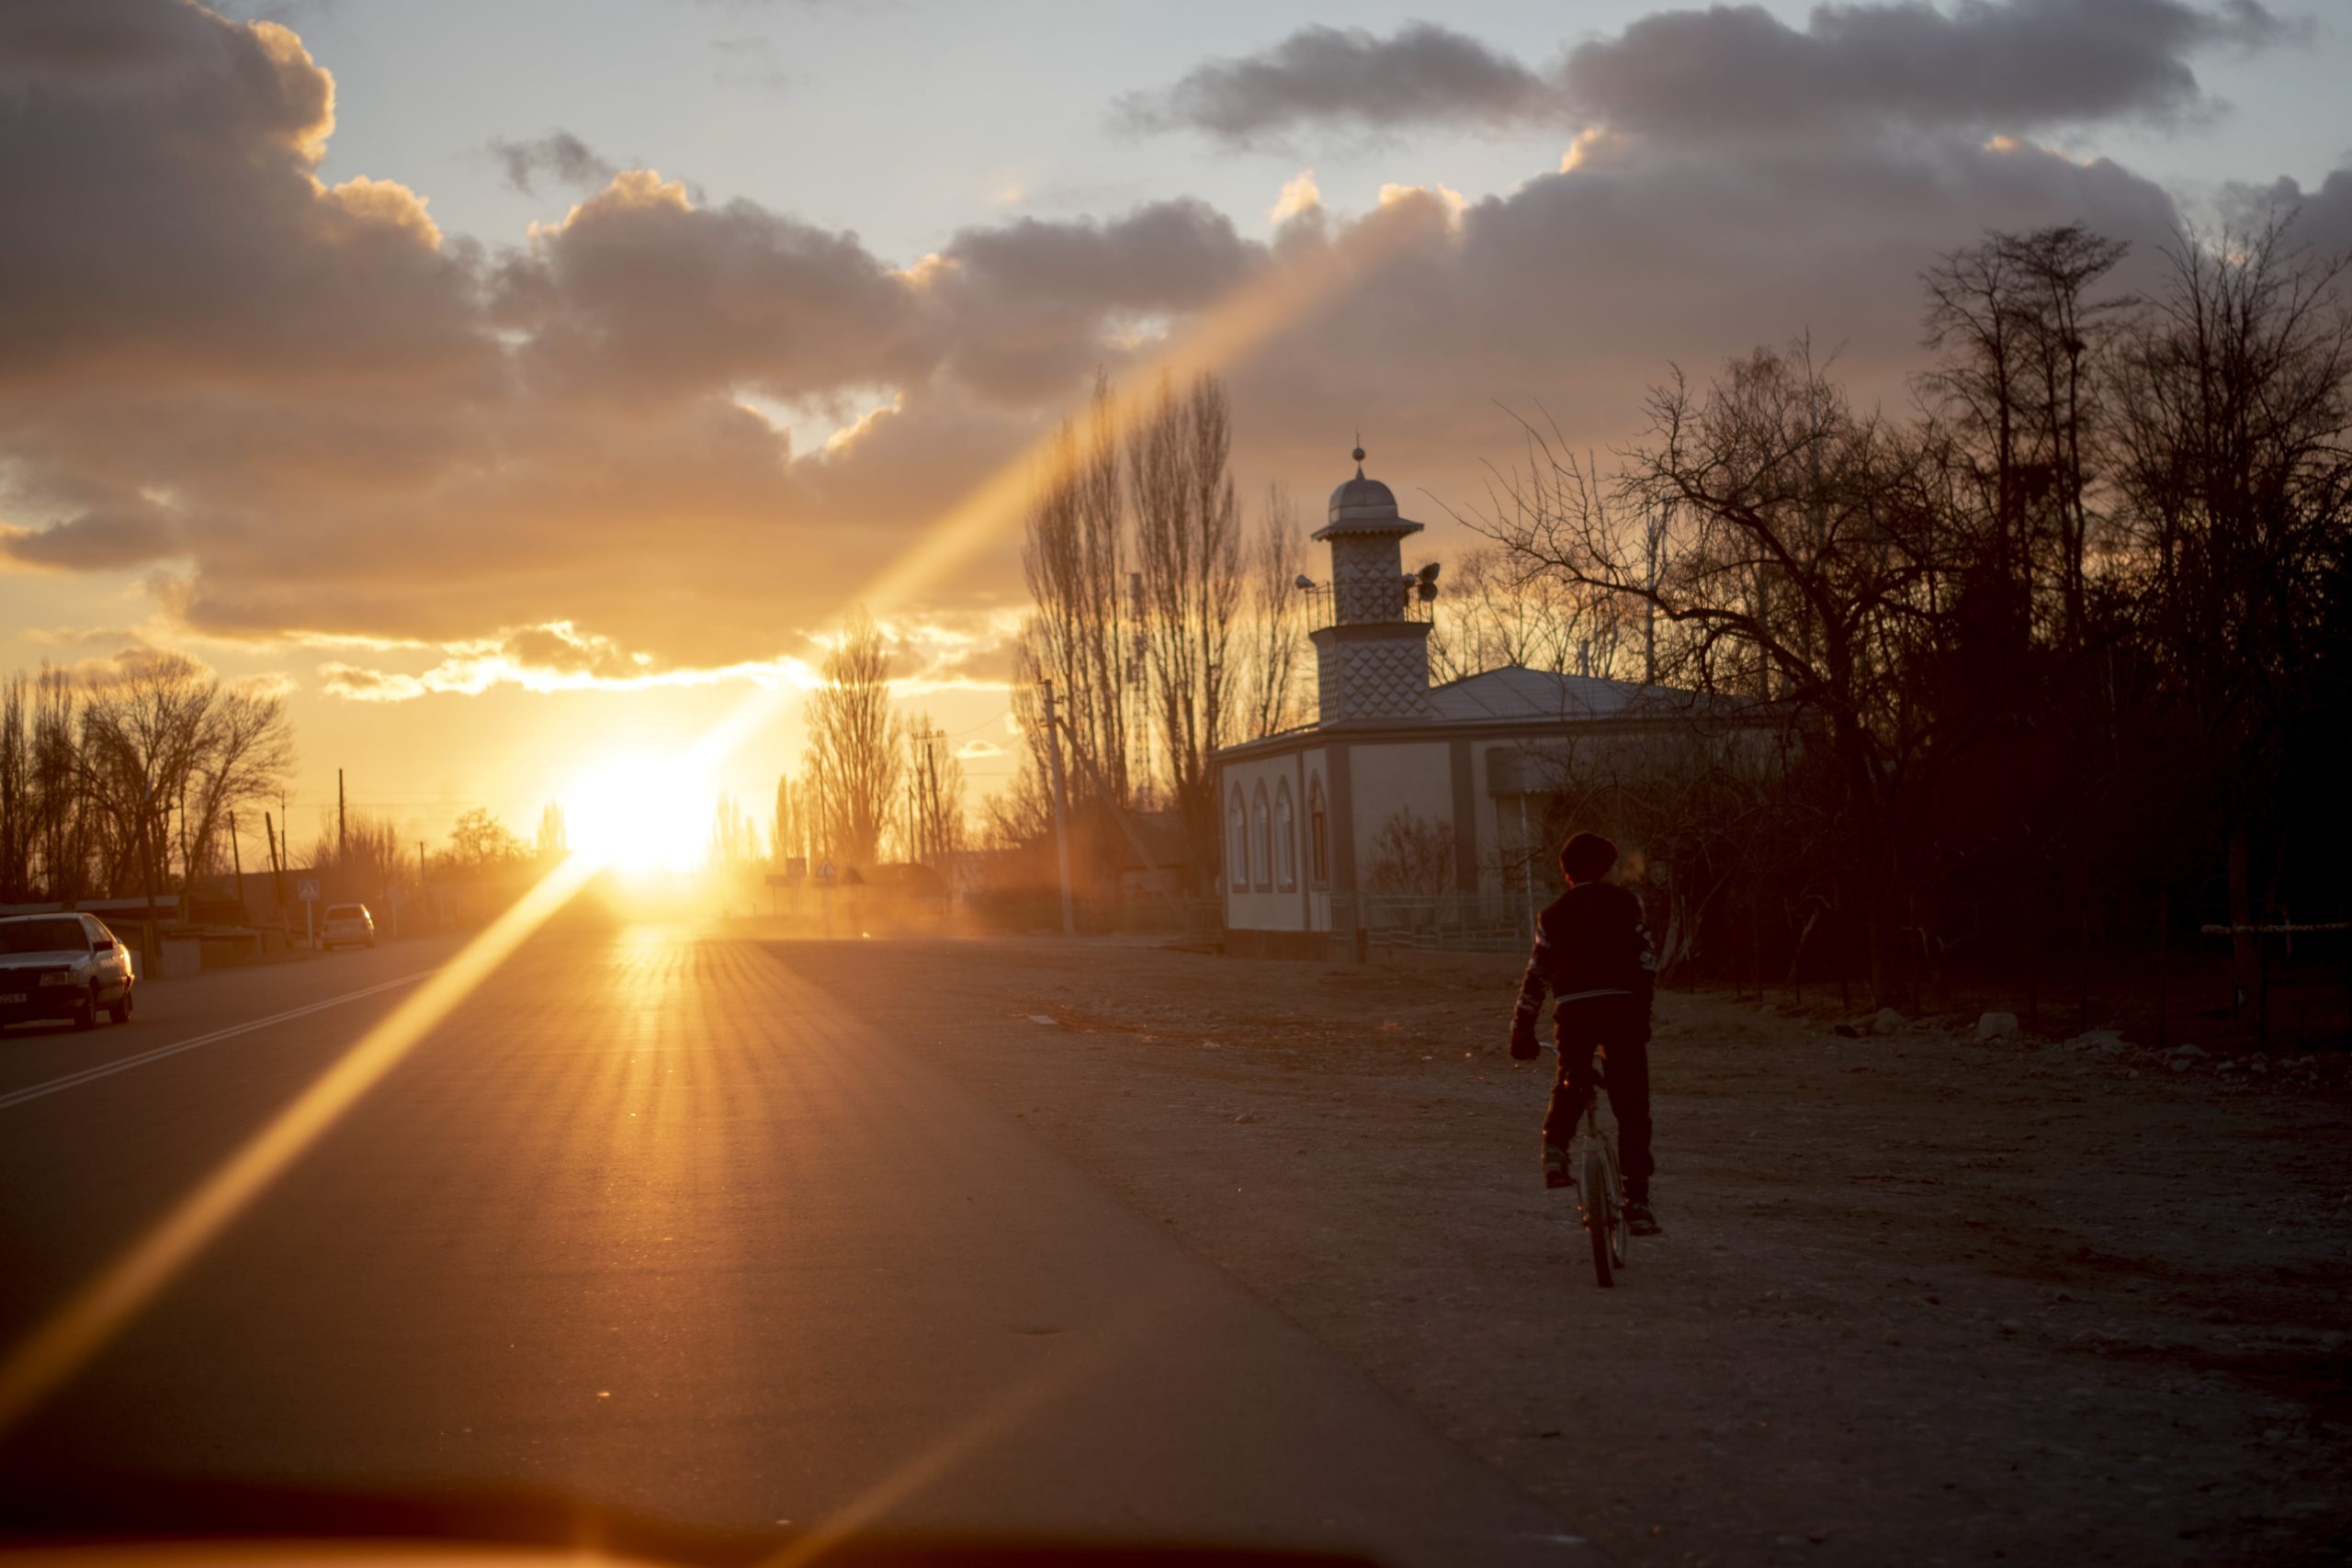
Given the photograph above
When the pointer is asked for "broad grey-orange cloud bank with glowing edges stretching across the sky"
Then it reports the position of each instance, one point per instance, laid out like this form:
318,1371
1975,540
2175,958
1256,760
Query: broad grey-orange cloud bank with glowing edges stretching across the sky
568,462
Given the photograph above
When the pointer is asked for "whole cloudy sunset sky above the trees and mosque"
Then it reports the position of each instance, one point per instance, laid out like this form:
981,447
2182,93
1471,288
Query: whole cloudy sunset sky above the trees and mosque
521,384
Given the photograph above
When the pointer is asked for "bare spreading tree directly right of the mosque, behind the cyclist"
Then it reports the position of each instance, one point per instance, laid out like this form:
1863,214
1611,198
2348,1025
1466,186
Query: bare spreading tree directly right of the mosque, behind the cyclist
1793,577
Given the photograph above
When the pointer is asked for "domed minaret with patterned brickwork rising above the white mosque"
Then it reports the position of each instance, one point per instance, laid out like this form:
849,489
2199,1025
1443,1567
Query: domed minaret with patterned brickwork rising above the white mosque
1372,662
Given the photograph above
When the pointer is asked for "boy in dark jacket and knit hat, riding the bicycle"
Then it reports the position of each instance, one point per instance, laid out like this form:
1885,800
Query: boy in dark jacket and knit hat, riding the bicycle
1593,953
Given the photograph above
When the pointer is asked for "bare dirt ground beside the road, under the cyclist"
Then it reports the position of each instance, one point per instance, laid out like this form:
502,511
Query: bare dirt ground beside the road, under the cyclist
1918,1299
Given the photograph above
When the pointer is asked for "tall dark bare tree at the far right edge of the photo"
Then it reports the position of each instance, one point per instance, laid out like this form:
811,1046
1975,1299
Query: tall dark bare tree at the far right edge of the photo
2233,427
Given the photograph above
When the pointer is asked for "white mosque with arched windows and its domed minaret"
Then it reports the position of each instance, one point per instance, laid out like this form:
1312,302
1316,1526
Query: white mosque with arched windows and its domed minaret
1401,791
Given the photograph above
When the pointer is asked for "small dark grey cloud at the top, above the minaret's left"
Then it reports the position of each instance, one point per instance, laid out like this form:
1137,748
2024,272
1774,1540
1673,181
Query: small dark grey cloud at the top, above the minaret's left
1347,79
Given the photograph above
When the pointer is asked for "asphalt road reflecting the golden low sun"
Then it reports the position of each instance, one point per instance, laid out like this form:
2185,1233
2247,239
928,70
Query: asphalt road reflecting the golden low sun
655,1224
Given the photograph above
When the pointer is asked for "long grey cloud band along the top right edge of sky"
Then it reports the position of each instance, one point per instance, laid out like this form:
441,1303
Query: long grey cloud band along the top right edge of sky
1735,72
